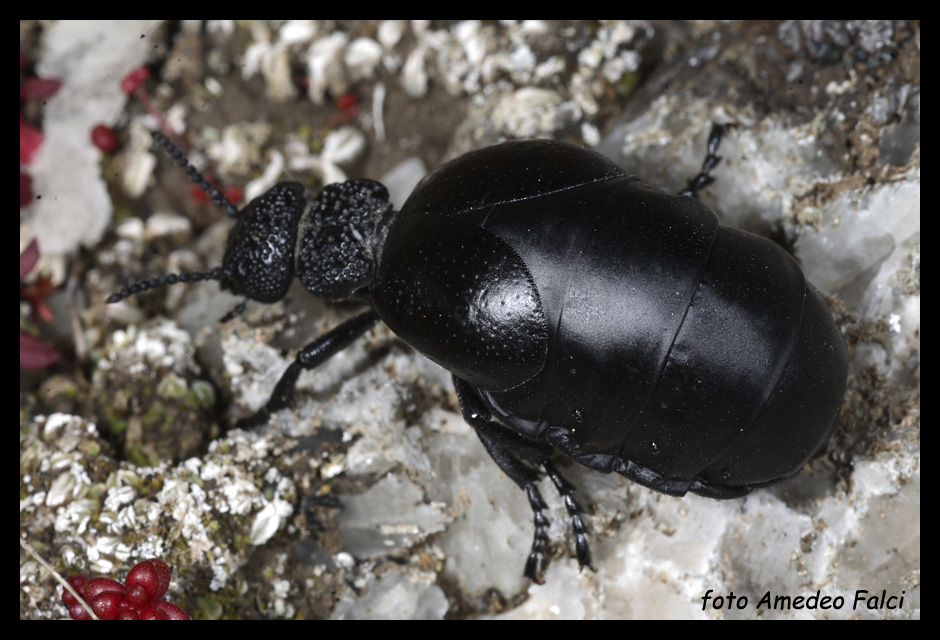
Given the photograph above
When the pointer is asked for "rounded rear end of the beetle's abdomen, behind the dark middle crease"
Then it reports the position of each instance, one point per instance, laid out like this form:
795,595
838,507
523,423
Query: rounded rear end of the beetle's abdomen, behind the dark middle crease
754,378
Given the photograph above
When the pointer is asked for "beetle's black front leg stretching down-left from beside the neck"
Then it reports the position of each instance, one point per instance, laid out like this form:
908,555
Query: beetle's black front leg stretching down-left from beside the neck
311,356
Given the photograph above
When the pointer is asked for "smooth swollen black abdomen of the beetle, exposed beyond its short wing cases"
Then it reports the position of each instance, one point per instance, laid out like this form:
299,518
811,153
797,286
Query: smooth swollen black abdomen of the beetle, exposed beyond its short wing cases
695,352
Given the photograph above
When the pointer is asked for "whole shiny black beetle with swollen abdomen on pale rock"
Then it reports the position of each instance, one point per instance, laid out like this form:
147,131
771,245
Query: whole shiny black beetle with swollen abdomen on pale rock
578,309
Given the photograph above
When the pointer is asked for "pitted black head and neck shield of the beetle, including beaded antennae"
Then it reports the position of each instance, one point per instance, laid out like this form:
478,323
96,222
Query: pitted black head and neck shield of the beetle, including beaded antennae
334,257
